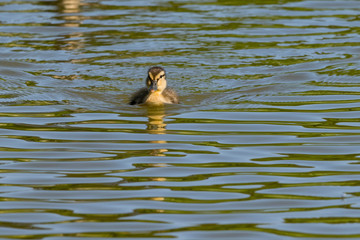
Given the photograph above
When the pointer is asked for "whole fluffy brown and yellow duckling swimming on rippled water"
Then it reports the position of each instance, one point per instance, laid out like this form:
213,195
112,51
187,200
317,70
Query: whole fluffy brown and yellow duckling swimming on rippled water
156,92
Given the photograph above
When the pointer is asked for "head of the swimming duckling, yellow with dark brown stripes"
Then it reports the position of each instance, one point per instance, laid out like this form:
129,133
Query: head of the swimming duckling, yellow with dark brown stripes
155,80
